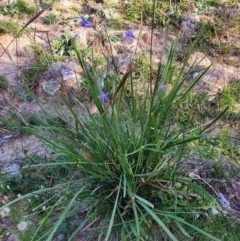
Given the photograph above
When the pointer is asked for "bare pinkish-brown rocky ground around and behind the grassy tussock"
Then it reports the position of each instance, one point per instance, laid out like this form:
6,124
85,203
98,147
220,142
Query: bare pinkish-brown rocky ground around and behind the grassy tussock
16,56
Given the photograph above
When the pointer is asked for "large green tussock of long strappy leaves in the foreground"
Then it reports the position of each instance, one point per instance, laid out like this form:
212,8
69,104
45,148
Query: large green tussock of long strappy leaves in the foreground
125,166
